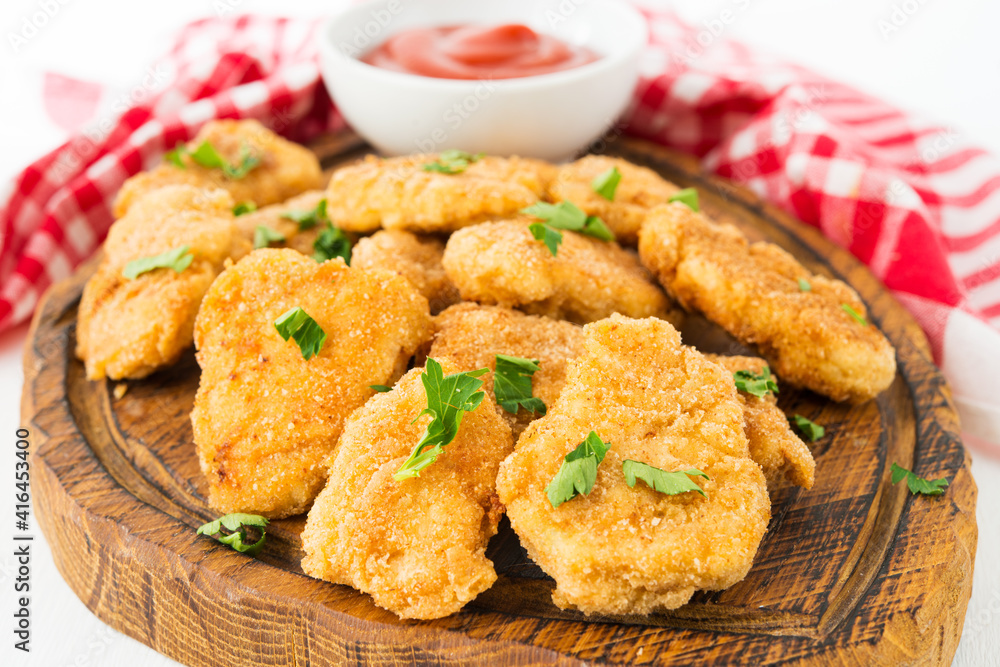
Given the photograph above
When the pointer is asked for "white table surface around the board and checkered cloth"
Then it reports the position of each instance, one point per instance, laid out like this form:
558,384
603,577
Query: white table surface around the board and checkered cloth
942,62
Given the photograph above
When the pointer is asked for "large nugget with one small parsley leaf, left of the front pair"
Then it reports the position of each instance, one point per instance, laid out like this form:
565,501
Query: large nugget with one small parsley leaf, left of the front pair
264,417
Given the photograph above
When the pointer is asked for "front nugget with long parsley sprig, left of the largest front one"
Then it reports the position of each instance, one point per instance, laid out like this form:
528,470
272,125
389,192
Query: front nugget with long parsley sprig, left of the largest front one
417,546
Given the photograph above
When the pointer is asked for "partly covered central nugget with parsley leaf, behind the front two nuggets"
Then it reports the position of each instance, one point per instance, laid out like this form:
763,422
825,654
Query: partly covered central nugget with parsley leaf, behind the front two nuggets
470,336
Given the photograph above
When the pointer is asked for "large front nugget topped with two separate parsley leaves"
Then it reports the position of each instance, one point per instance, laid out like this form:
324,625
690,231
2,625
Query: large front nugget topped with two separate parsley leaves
622,550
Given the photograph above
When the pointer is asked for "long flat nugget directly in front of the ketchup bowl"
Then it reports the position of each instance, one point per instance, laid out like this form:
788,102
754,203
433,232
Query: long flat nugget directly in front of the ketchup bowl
398,193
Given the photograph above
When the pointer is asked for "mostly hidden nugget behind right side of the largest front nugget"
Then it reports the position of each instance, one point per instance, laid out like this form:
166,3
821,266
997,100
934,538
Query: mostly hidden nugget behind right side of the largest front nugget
773,445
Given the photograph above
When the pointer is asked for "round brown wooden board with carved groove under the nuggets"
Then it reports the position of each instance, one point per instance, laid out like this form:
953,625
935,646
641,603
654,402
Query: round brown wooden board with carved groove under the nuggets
855,571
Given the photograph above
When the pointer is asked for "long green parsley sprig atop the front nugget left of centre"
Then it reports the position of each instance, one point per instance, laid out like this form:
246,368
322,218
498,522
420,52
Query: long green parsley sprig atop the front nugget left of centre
449,397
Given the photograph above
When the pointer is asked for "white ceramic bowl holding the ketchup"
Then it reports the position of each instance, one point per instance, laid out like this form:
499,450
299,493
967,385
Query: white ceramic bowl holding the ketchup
550,116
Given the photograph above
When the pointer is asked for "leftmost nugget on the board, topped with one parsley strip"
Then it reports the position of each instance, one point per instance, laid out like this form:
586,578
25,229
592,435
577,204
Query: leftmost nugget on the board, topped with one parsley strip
130,328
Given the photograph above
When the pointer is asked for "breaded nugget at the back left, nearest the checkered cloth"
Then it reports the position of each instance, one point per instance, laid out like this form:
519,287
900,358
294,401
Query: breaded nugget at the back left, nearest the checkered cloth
285,169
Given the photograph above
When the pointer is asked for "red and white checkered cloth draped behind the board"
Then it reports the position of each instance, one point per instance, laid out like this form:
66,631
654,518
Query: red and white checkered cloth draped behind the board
907,198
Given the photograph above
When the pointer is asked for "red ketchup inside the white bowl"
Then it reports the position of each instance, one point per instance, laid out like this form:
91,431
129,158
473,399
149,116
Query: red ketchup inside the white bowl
477,52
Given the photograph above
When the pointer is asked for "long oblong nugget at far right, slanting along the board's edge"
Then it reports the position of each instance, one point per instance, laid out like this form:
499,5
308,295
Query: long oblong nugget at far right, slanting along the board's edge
753,292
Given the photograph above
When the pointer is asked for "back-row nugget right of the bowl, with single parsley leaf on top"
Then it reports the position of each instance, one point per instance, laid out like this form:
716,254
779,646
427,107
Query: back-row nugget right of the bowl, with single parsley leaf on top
639,190
